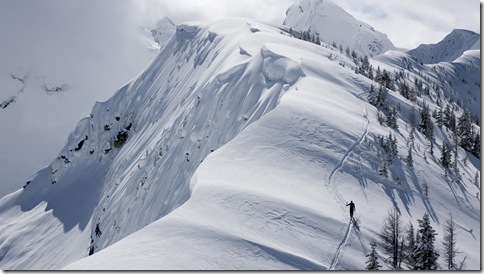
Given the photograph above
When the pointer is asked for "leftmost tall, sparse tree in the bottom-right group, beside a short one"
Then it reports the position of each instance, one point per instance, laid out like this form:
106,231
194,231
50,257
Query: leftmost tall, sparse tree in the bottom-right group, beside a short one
390,236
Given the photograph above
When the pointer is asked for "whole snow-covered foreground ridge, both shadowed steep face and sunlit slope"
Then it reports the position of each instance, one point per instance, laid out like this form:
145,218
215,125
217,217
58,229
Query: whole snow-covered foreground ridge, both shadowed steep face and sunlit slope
293,140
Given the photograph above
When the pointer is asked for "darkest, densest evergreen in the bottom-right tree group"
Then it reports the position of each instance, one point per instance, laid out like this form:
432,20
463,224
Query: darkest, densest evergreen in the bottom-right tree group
424,252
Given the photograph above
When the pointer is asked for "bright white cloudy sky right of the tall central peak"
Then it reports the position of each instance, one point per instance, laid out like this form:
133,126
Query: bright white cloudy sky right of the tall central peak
409,23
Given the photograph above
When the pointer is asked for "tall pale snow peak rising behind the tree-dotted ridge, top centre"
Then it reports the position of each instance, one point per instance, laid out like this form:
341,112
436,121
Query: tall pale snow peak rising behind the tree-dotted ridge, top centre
336,25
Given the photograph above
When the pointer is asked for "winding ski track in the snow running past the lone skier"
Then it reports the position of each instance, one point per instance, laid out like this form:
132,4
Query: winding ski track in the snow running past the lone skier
332,188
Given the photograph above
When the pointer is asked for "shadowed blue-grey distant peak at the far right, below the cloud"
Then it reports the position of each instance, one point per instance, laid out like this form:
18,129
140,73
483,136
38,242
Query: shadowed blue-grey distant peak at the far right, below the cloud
449,49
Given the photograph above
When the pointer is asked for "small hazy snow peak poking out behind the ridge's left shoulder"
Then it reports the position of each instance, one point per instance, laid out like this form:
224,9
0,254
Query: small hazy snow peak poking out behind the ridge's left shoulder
155,38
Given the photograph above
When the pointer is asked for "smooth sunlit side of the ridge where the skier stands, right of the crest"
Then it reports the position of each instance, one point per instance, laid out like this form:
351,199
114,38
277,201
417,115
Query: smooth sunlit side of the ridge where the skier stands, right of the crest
274,197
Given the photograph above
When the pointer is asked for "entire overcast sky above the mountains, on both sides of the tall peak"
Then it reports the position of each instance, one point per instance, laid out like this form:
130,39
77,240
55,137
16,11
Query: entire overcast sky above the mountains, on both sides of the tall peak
407,23
